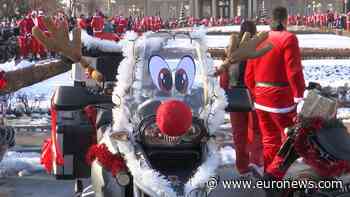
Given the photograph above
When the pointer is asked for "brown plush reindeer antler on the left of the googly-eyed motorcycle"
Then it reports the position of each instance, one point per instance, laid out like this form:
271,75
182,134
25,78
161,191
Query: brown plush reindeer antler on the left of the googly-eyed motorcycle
59,41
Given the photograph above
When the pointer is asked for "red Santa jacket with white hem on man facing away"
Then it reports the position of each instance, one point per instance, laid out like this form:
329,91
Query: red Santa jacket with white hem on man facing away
281,69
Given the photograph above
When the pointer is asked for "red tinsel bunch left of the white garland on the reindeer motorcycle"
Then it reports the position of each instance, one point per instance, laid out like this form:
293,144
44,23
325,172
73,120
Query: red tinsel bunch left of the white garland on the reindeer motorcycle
113,163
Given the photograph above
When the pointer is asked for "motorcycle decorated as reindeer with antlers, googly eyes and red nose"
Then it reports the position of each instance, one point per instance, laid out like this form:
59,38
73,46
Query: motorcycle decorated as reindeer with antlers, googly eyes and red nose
149,131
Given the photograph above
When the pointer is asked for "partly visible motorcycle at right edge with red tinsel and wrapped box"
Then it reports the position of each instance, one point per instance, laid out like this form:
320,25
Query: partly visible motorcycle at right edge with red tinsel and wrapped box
322,142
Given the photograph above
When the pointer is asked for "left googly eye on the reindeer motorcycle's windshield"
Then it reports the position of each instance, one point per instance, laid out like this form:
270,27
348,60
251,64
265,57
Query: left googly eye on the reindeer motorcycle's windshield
160,73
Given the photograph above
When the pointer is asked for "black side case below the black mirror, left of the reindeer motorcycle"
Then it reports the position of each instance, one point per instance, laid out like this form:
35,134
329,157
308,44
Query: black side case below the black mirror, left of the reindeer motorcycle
74,136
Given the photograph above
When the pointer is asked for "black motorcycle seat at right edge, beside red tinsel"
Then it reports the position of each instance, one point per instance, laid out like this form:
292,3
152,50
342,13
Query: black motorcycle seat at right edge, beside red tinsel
336,141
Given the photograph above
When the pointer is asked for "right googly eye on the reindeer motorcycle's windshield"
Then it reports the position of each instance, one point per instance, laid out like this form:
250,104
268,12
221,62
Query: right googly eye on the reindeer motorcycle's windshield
185,74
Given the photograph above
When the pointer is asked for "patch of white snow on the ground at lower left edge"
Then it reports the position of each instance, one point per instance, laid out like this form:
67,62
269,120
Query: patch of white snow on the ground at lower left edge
15,163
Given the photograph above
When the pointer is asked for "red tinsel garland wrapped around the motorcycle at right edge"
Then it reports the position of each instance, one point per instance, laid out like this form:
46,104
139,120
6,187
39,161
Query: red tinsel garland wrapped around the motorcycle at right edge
311,155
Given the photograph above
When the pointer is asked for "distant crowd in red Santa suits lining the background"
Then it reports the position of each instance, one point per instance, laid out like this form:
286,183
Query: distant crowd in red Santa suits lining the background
113,28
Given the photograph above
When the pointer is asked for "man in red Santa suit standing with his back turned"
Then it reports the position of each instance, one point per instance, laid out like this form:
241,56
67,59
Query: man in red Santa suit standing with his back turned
277,83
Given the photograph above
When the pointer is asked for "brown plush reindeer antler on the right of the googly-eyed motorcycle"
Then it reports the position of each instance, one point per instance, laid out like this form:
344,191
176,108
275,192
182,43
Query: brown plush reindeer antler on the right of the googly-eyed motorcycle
247,50
